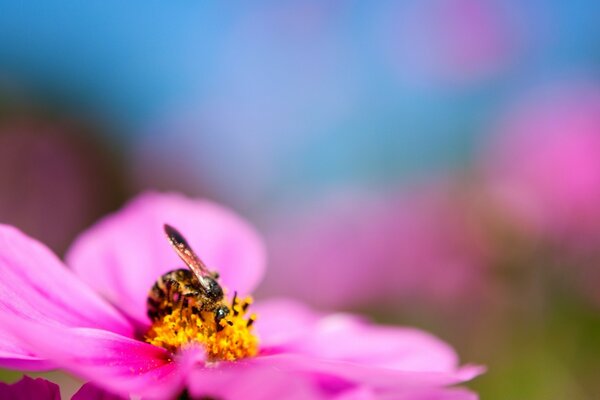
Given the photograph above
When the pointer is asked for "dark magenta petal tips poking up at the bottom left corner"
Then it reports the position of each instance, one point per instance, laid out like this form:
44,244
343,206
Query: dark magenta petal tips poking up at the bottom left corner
41,389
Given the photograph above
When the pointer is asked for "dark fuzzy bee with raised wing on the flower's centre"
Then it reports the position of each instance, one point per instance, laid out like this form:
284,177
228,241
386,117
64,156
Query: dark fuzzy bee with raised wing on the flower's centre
195,287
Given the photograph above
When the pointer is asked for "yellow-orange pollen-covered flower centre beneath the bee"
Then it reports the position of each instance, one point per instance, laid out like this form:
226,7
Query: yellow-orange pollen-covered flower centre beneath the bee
232,340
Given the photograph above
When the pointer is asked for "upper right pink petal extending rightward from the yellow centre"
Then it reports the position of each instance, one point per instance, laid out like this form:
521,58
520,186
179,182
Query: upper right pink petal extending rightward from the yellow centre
342,337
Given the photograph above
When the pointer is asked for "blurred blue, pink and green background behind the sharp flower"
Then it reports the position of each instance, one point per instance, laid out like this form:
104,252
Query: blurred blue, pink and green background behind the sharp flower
427,162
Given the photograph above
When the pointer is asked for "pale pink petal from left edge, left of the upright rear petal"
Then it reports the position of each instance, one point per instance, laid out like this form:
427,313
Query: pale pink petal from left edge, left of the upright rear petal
35,285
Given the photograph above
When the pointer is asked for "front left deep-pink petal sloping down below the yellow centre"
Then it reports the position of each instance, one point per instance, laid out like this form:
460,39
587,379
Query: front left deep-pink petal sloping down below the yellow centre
116,363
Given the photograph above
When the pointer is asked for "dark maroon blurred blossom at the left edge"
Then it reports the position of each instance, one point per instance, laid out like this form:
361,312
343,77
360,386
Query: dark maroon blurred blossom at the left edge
54,179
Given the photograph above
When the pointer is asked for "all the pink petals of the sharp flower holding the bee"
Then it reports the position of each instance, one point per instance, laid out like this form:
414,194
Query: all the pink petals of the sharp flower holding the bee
91,320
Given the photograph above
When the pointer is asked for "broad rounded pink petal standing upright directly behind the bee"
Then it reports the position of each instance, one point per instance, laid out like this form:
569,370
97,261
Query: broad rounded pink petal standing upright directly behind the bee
123,254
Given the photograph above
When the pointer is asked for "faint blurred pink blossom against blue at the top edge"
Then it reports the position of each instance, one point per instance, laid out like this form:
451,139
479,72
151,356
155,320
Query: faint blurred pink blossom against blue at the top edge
456,41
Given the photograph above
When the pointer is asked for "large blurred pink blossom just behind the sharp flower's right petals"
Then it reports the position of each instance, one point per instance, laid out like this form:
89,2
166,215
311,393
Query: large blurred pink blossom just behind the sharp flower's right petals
355,248
